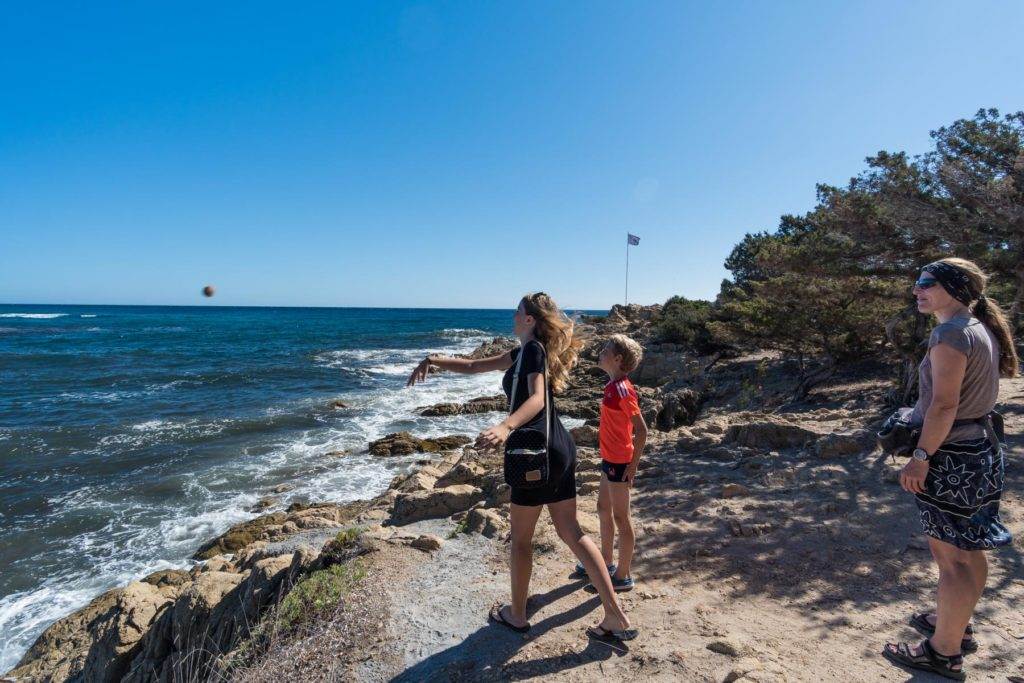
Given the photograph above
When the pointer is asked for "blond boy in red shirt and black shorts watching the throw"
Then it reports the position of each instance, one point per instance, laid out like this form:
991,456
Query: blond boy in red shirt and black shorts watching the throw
622,438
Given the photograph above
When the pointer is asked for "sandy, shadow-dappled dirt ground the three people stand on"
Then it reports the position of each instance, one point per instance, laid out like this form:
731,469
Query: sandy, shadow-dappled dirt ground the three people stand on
839,571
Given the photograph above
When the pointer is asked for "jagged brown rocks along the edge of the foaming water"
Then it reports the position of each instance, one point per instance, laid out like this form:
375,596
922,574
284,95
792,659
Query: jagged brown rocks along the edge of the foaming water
170,622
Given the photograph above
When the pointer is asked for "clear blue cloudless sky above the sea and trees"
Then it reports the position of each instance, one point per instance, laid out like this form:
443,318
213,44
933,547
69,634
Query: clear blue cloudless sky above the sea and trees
451,154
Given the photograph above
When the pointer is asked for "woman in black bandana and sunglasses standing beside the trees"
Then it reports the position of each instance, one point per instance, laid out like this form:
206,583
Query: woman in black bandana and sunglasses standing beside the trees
956,473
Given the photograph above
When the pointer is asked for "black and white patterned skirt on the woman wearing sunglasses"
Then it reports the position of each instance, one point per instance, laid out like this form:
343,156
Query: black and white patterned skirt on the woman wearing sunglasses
961,503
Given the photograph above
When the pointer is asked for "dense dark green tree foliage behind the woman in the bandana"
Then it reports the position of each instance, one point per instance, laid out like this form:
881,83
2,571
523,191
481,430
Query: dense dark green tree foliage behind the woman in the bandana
836,282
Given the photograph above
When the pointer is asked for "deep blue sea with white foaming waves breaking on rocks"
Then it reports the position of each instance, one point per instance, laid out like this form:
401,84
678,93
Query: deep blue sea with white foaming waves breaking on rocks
132,435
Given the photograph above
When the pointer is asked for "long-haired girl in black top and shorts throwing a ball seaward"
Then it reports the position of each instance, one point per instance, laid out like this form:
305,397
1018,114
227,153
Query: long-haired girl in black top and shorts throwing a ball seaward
546,339
